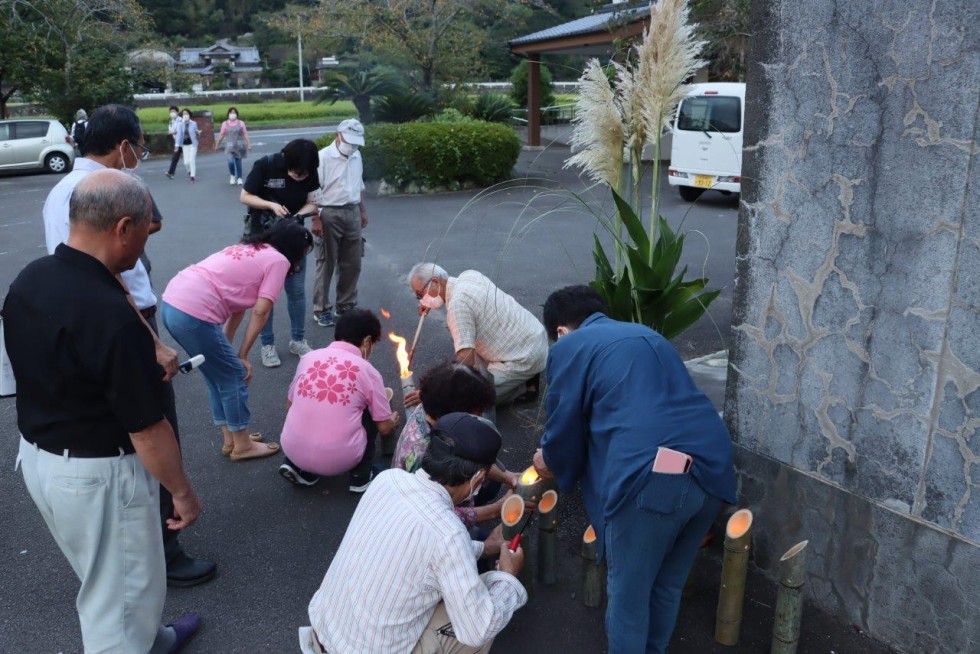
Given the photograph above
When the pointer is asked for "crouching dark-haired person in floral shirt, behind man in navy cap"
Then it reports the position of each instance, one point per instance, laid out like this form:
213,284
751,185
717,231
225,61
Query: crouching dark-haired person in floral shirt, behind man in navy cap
448,388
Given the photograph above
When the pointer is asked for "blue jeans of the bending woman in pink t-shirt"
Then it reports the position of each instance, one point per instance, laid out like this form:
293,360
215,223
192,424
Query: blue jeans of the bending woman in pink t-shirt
223,372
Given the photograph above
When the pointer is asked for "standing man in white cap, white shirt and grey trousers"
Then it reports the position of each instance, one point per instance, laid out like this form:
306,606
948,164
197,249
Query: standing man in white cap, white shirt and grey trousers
342,217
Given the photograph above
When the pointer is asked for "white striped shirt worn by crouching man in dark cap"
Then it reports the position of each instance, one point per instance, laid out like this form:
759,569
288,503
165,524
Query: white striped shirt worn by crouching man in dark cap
404,552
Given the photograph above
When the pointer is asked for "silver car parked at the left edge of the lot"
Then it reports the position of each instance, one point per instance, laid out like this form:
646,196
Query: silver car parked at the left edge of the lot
29,144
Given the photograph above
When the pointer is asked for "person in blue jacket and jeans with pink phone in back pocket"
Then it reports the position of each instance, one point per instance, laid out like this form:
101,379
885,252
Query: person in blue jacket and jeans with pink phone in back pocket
617,392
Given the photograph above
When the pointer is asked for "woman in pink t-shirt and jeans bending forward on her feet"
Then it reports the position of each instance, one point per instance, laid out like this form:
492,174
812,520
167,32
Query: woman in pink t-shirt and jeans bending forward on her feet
204,305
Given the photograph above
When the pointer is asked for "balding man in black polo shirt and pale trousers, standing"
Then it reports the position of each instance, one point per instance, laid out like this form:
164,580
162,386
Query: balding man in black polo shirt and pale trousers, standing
91,416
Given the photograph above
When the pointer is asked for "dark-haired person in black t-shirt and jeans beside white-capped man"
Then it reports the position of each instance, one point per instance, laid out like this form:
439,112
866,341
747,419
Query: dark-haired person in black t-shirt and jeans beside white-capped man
286,183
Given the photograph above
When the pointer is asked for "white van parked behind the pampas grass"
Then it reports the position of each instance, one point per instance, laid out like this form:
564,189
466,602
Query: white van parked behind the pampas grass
706,152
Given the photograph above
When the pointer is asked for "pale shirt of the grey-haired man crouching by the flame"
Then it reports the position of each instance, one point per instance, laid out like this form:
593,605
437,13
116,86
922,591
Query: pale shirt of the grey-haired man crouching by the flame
504,334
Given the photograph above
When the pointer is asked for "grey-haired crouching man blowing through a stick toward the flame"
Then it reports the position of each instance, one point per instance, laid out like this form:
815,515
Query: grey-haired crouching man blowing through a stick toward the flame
490,329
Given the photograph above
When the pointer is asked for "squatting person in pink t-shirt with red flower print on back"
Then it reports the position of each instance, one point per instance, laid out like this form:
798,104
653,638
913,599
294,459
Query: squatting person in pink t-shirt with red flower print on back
337,406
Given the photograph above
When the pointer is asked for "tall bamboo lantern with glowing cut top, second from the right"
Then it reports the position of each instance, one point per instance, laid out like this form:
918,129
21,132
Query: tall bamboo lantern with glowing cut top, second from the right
738,540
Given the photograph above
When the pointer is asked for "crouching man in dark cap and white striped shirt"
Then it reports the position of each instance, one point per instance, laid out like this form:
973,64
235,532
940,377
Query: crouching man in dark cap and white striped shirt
404,580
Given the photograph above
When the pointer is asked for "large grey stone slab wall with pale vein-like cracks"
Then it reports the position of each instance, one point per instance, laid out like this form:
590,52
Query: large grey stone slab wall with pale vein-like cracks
854,388
